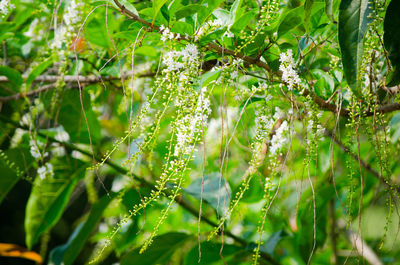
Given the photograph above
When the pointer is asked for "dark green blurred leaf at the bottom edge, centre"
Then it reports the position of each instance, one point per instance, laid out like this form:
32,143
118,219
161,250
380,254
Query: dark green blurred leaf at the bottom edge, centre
210,253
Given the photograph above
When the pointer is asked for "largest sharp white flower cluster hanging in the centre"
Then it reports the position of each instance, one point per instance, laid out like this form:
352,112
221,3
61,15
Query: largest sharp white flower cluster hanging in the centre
189,126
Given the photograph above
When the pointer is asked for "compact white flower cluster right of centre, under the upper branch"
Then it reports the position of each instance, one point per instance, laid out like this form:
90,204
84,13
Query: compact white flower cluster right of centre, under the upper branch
287,66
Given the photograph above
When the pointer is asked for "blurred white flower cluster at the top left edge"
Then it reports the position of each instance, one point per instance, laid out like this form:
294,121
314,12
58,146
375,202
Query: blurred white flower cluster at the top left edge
63,33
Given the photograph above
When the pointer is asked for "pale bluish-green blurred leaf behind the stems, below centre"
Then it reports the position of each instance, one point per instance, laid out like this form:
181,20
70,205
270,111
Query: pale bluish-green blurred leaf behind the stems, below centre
216,191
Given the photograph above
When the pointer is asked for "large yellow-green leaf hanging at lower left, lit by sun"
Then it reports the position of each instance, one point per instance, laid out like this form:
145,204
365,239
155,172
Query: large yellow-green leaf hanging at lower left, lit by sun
48,199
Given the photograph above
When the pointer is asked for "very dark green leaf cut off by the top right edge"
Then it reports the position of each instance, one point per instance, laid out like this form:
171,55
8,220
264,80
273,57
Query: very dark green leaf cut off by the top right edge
392,41
